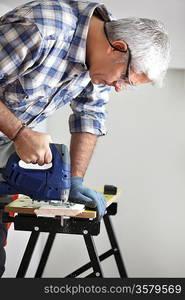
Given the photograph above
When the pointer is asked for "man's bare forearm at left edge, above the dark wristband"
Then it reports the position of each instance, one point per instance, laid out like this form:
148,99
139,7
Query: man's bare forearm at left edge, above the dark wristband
9,124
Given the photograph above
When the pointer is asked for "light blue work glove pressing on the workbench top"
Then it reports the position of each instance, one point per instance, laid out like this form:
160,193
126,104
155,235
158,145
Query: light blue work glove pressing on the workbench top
90,198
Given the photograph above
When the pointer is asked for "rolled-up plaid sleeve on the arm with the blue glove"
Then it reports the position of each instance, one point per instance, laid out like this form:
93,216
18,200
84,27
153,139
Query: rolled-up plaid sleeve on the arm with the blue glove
89,112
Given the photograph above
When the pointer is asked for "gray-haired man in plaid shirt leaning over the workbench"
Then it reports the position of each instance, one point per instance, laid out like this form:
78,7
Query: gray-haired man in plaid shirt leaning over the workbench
55,52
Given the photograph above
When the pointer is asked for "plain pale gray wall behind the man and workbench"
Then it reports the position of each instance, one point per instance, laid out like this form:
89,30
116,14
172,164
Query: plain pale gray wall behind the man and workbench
144,155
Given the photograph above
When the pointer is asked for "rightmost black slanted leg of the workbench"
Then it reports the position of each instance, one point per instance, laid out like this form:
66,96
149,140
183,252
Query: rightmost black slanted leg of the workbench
115,247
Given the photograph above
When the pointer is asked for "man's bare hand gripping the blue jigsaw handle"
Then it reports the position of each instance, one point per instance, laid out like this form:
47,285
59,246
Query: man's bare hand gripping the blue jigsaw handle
33,147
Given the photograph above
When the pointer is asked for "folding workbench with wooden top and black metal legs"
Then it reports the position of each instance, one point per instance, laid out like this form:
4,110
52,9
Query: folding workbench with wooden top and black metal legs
28,217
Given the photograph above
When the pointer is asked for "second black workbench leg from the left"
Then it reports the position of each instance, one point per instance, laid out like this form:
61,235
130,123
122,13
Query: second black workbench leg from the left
45,255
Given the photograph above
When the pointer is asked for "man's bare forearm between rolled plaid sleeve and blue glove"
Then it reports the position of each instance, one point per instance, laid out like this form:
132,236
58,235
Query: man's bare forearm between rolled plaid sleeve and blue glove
81,149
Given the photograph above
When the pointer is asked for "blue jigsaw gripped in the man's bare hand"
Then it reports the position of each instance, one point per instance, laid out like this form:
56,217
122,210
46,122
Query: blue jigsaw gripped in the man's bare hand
41,185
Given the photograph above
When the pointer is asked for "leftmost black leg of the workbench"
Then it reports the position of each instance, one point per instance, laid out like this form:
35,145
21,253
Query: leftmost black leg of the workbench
27,254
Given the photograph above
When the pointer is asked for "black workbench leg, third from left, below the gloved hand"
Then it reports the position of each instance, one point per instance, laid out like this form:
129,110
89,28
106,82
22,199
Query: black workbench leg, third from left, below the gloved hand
94,258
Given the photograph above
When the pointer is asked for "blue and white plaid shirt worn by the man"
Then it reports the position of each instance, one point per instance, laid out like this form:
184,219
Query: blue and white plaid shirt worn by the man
42,64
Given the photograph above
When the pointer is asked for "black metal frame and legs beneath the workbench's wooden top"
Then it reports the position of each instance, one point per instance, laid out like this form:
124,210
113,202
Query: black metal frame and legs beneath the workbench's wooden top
95,259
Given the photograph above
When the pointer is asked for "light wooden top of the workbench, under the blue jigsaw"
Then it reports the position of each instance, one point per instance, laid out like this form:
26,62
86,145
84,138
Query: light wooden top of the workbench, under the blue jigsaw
24,205
